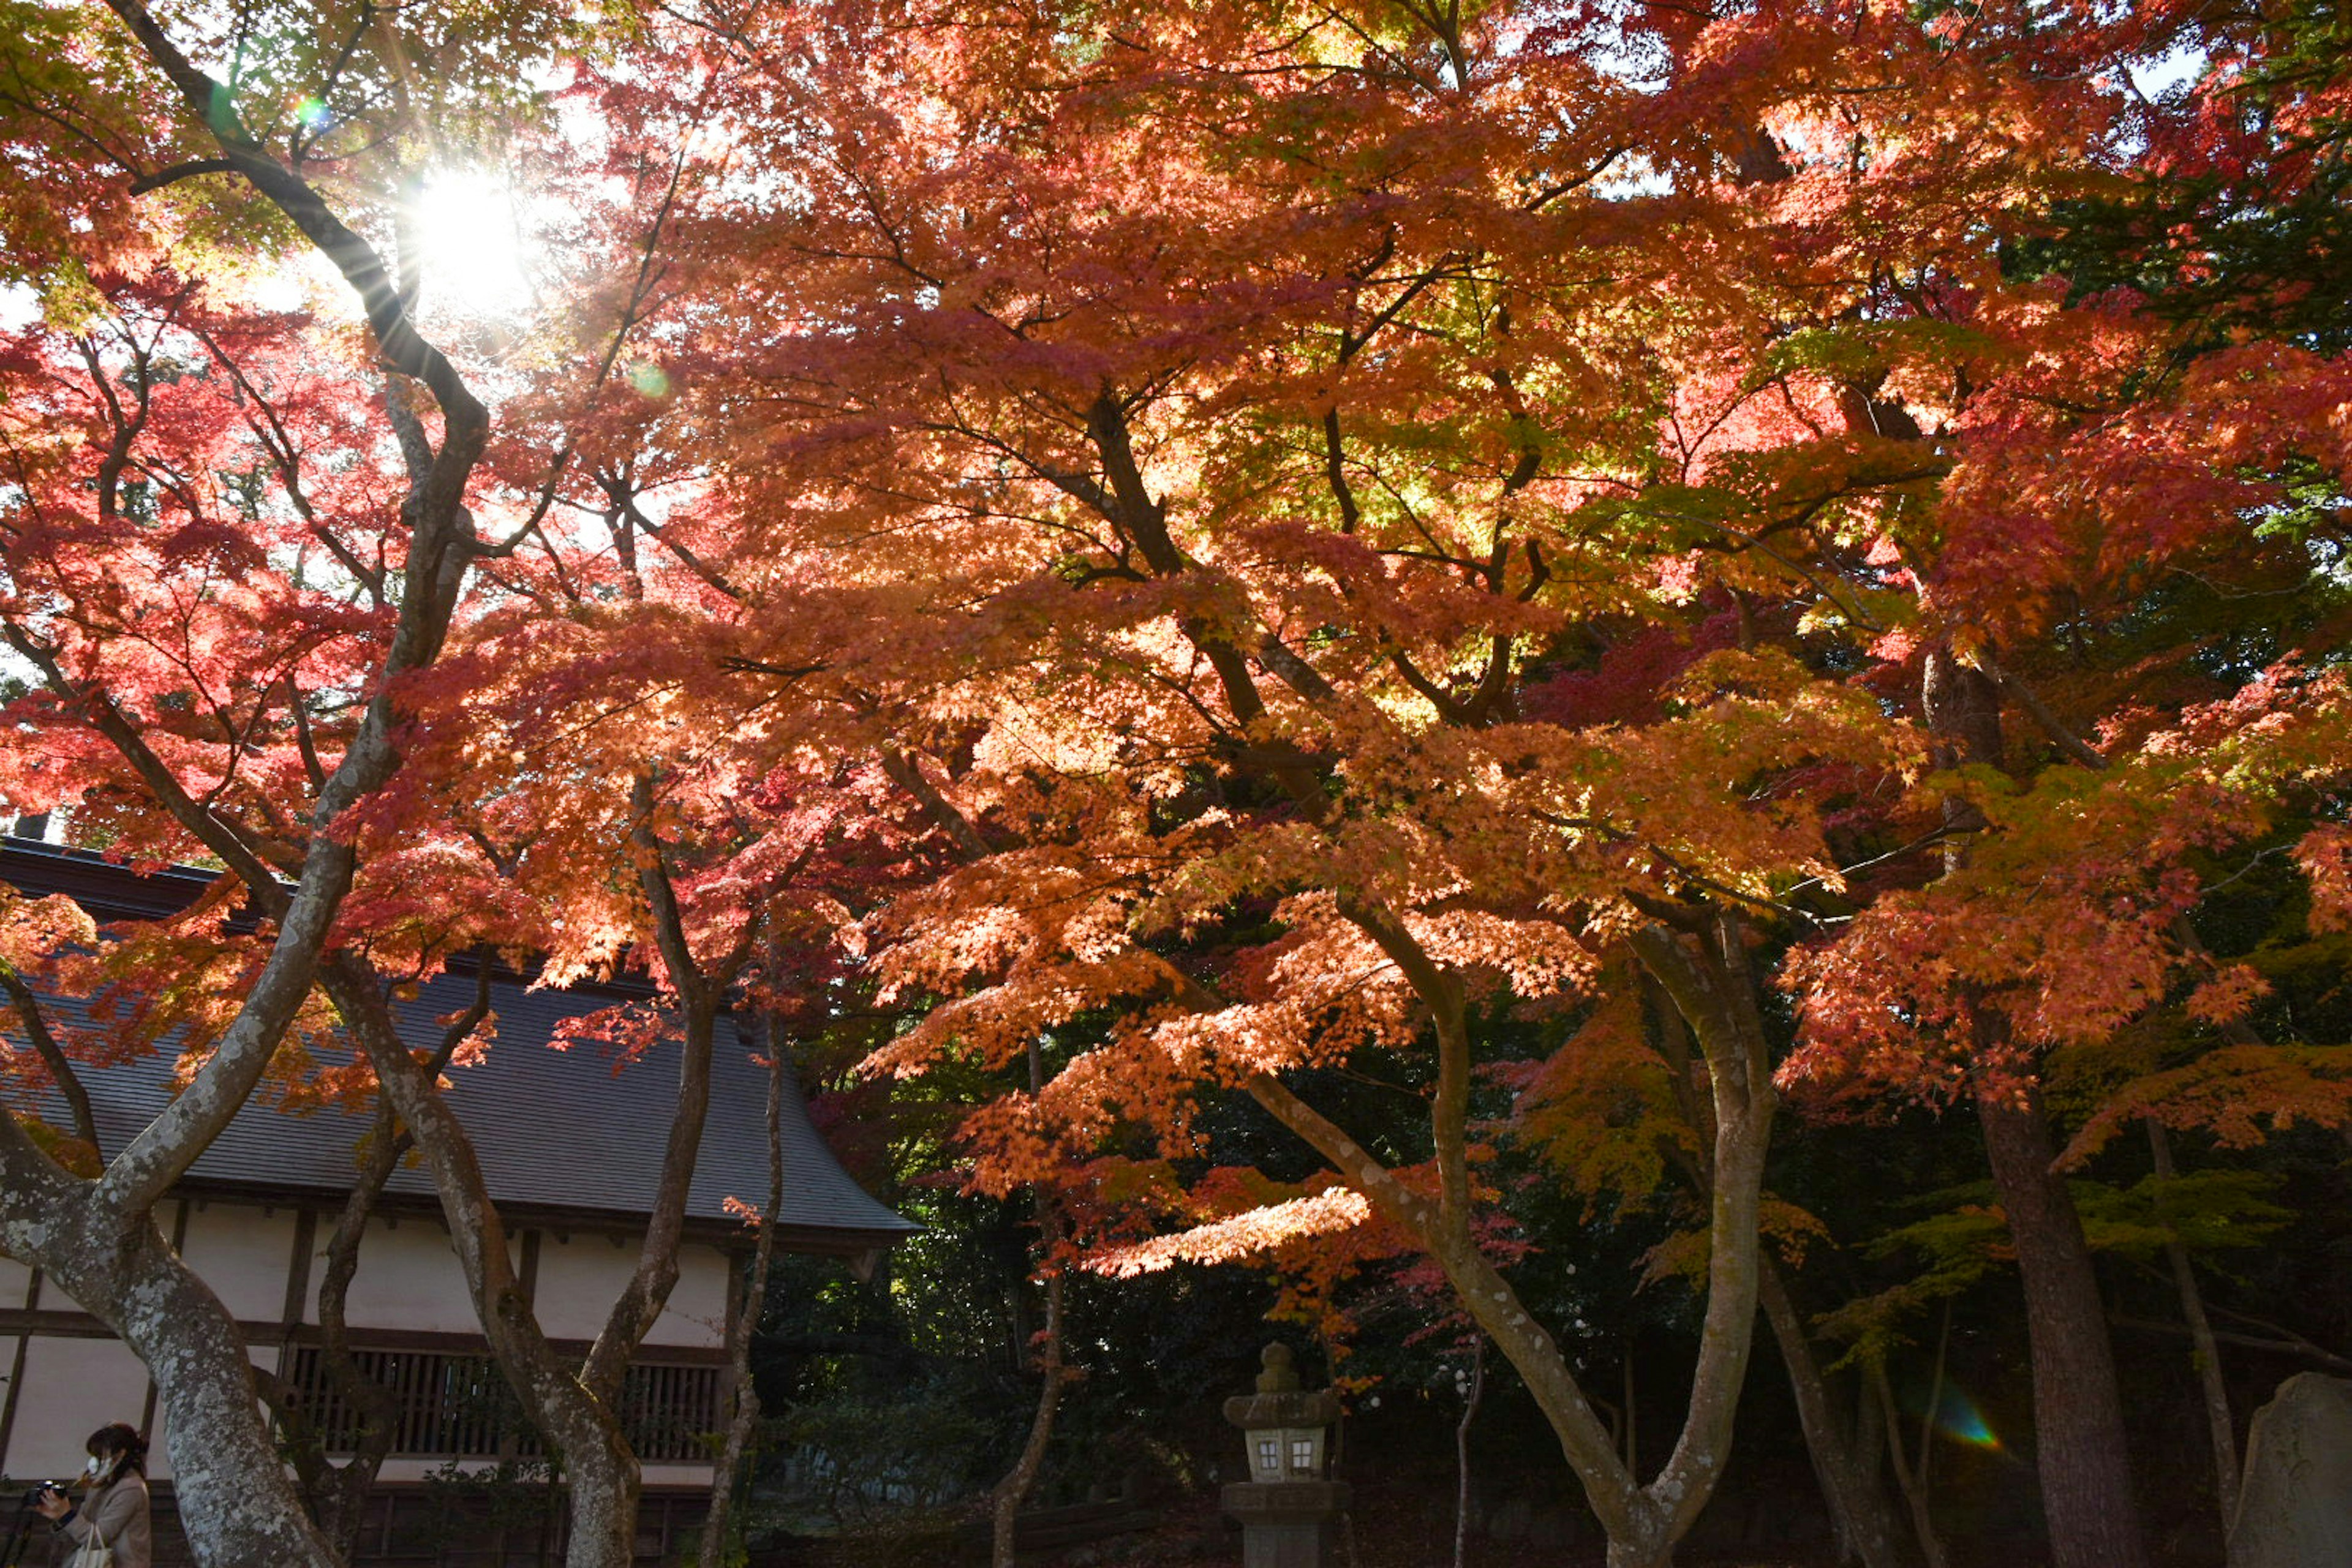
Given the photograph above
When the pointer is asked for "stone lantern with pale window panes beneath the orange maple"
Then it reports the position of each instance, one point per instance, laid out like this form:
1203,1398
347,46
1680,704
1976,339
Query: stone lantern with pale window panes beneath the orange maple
1288,1508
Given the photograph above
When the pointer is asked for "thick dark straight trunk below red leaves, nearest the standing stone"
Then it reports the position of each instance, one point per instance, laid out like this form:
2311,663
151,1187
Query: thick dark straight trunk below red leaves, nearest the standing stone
2078,1412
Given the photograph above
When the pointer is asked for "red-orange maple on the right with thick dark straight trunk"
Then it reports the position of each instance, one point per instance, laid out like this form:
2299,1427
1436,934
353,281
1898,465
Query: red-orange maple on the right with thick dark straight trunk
2118,476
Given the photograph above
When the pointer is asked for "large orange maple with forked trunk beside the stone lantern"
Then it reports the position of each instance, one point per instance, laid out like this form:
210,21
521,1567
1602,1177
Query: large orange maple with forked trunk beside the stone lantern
1194,537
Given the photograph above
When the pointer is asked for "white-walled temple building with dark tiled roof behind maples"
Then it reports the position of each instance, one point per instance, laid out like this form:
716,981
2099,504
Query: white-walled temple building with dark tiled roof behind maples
570,1151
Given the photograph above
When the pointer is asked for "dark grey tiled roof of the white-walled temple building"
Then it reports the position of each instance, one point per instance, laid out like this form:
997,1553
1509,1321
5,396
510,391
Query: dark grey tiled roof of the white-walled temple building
554,1130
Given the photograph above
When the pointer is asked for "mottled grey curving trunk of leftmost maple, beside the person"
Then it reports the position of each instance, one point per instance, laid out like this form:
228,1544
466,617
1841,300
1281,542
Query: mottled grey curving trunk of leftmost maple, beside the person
98,1240
